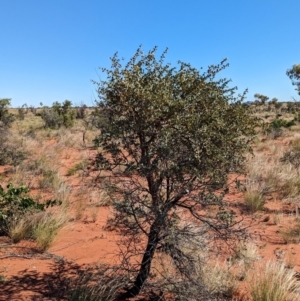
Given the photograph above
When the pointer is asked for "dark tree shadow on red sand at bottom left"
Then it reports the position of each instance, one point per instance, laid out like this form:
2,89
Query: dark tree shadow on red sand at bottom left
64,281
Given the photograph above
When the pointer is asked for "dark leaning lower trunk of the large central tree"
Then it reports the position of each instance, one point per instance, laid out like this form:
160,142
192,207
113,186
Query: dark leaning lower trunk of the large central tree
143,274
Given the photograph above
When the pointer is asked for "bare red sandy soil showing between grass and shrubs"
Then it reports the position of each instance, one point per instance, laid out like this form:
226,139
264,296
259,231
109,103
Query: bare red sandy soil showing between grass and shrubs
28,274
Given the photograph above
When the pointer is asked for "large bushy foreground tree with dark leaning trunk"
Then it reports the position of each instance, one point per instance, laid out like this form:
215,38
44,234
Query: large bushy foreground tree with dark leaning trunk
169,138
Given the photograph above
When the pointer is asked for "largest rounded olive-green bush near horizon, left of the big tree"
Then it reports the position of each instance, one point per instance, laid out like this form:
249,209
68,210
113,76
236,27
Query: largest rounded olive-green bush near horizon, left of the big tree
59,115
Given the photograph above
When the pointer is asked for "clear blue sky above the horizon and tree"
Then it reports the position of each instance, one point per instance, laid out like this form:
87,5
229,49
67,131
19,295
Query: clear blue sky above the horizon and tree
51,50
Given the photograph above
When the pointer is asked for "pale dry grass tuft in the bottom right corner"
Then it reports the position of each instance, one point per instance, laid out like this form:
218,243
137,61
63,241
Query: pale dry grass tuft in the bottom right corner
274,282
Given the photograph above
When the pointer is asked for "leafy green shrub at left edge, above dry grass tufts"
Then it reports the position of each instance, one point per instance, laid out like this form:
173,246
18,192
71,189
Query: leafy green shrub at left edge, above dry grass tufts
15,202
